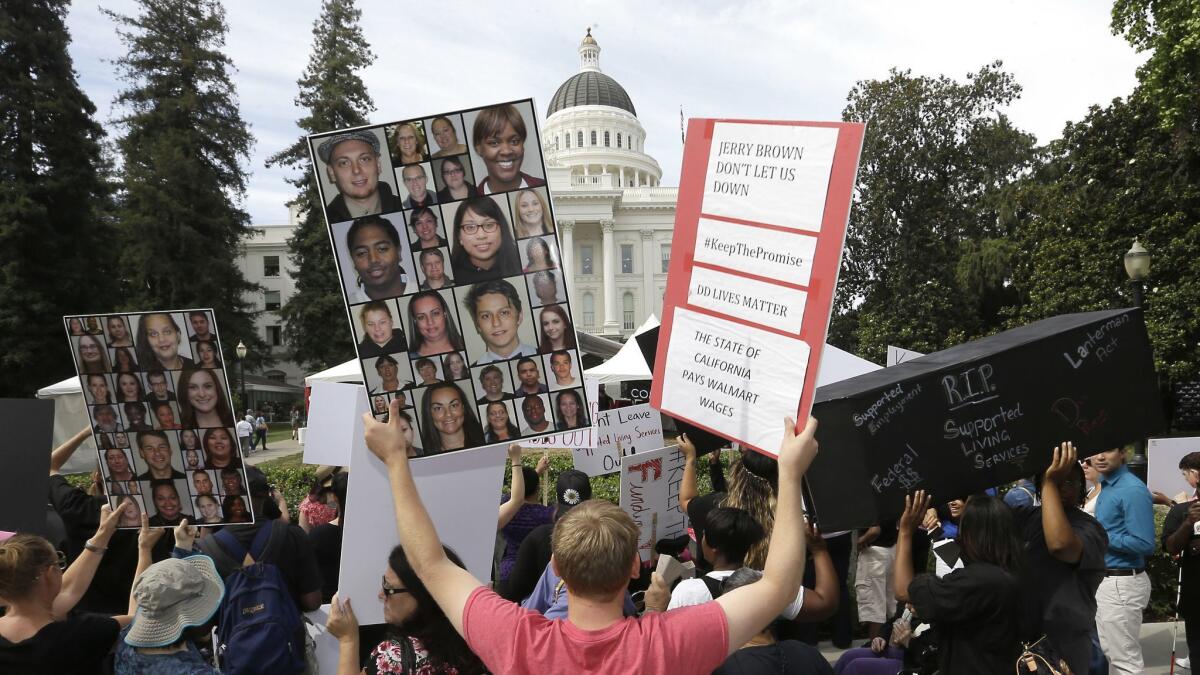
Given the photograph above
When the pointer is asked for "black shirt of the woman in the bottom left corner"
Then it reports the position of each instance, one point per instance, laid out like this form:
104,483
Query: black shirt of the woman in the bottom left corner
76,646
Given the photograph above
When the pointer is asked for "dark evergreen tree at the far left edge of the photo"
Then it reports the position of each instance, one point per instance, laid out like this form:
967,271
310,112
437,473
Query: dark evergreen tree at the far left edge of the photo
56,238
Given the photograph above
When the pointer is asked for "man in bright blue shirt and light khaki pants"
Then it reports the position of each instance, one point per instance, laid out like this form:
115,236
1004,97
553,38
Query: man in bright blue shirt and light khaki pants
1126,512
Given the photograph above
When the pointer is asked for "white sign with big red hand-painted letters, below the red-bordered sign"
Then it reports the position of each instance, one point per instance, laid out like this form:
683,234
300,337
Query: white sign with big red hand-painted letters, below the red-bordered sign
650,494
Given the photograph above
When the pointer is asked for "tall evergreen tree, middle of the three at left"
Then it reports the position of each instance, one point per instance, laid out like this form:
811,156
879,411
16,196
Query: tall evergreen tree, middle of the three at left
184,144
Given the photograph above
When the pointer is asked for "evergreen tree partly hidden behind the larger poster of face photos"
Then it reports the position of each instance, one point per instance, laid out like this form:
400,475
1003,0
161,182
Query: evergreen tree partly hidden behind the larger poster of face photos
334,97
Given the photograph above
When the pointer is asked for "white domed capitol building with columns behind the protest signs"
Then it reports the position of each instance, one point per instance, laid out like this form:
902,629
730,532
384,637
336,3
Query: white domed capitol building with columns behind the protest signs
615,219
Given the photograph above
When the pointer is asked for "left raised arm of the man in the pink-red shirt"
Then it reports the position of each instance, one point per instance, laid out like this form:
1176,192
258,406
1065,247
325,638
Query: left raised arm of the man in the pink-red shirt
449,584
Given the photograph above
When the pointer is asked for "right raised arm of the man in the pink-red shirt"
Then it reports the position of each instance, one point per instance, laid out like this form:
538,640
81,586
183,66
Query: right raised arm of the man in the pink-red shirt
751,608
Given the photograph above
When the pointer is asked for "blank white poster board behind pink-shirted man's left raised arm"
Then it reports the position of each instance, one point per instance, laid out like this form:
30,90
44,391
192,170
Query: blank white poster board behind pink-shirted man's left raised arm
460,491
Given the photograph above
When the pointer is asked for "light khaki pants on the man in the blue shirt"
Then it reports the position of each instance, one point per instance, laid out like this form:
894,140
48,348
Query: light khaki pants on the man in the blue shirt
1119,605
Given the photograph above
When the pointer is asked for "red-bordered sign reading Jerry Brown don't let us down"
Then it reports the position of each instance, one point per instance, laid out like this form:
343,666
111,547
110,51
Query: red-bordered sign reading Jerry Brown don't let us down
760,229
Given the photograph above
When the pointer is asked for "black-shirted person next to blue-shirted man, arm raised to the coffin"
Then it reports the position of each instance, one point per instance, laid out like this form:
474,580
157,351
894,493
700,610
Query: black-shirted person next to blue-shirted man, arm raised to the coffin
1065,549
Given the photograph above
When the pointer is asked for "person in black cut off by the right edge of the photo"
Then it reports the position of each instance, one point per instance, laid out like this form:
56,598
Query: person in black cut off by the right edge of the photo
1183,543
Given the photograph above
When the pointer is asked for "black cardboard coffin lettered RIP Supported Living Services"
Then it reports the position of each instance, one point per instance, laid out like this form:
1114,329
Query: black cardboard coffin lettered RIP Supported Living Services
981,415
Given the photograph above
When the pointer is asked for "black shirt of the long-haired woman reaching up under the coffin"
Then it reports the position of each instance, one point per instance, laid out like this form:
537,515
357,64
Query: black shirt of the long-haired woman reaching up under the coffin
976,612
